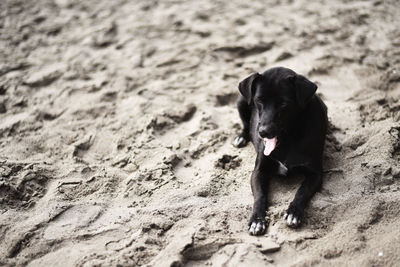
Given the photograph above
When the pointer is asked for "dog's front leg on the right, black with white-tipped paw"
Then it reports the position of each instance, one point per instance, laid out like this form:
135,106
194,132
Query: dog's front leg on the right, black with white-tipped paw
308,188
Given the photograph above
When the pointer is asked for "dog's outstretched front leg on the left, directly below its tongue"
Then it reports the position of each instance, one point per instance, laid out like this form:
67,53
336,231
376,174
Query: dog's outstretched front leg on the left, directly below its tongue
259,183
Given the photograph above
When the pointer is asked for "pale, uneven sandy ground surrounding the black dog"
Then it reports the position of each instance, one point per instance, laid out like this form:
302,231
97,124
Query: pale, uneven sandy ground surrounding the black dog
117,120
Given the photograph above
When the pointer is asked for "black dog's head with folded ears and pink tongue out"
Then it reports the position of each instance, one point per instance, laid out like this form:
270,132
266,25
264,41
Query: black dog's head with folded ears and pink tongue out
279,95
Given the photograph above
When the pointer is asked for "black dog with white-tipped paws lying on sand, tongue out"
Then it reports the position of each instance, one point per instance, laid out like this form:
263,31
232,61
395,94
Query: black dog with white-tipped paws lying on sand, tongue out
287,123
